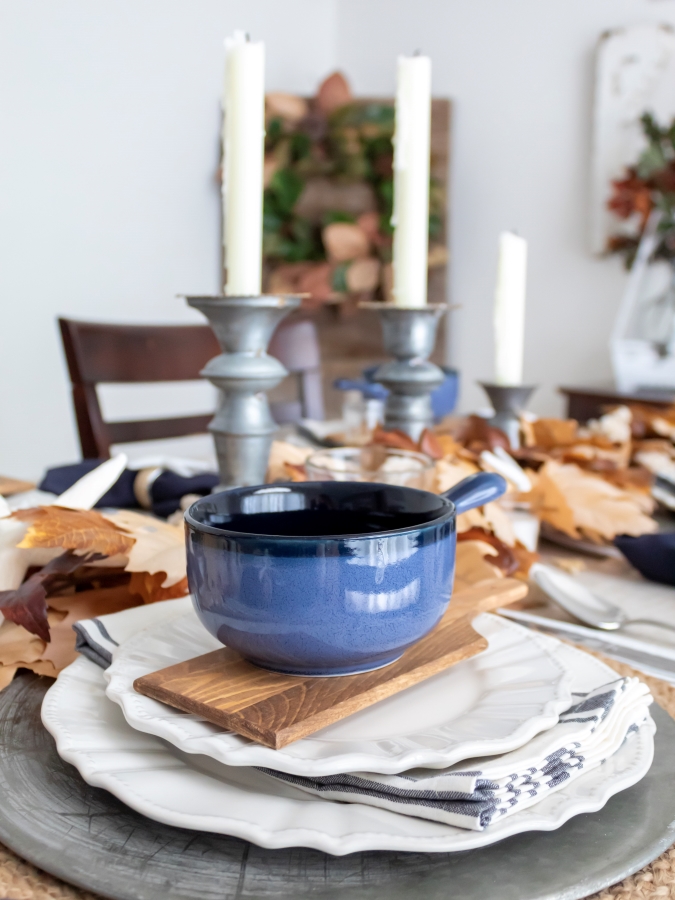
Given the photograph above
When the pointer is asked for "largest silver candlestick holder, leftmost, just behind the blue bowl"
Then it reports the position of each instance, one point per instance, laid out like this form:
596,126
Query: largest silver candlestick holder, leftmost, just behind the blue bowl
243,426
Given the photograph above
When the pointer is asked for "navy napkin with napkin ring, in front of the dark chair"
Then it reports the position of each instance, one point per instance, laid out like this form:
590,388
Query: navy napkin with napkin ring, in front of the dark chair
165,491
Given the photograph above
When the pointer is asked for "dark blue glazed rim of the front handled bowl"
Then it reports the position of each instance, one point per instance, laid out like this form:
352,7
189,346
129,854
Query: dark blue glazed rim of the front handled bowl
191,522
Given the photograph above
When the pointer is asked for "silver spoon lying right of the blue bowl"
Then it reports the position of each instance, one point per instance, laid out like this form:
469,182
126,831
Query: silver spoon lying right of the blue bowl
582,603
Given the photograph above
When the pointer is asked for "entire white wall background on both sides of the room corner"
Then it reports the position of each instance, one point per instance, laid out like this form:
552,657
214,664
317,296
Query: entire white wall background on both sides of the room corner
109,208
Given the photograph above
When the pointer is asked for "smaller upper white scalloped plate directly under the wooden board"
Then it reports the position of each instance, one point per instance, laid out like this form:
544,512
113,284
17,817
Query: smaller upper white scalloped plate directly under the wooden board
492,703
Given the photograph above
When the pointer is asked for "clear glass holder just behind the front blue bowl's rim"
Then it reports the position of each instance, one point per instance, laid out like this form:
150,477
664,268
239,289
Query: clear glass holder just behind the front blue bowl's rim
374,463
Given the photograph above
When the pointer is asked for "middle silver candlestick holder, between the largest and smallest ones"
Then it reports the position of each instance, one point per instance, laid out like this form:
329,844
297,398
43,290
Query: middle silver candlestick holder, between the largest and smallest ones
409,334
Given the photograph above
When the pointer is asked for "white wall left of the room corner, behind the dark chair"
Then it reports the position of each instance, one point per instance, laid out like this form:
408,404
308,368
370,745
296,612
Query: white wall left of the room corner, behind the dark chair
109,207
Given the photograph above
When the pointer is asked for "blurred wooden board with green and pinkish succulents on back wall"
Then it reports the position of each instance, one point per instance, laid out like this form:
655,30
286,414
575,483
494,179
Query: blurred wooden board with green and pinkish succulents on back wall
327,221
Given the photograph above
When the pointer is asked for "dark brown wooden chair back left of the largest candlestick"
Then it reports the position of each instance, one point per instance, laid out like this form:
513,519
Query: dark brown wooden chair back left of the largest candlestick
125,354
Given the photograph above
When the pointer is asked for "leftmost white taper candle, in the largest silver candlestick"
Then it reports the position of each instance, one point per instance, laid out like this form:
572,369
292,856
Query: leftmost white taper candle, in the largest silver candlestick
244,150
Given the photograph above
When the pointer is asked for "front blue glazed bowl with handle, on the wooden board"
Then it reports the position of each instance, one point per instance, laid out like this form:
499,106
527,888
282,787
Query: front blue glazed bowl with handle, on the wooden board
326,578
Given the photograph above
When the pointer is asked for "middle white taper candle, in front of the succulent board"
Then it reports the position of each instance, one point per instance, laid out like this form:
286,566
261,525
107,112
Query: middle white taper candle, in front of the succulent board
412,140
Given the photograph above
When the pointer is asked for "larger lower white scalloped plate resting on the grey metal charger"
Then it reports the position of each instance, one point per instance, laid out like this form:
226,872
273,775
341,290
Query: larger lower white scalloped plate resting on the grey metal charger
196,792
